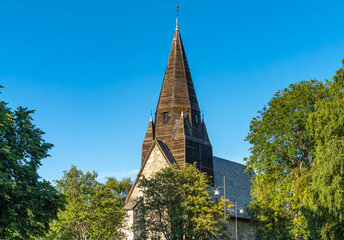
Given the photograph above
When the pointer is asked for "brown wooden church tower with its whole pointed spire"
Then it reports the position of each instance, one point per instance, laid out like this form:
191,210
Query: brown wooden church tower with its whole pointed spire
178,122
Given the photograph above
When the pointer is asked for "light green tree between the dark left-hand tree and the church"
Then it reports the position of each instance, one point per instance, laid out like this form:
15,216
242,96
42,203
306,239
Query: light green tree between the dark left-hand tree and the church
93,210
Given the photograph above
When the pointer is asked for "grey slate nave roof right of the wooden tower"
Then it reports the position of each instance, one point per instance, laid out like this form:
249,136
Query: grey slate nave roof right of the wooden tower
238,183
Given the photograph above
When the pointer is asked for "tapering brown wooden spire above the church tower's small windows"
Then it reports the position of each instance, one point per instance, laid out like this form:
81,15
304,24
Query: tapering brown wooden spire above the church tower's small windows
177,90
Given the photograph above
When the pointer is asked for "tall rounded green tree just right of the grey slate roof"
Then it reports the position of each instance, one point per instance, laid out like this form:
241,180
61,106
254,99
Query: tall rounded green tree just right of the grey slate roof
281,154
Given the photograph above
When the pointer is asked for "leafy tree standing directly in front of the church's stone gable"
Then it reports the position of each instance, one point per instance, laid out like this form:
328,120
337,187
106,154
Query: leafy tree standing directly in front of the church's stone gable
176,204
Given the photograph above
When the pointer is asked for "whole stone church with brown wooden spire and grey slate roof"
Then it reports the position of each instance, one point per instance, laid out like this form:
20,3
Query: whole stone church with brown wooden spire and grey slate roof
178,135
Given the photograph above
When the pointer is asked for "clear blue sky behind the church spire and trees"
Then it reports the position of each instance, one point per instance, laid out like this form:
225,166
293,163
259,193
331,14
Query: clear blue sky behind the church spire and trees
93,70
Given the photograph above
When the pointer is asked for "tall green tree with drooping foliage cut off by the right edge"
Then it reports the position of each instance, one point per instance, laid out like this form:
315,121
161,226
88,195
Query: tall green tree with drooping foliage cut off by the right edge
324,197
